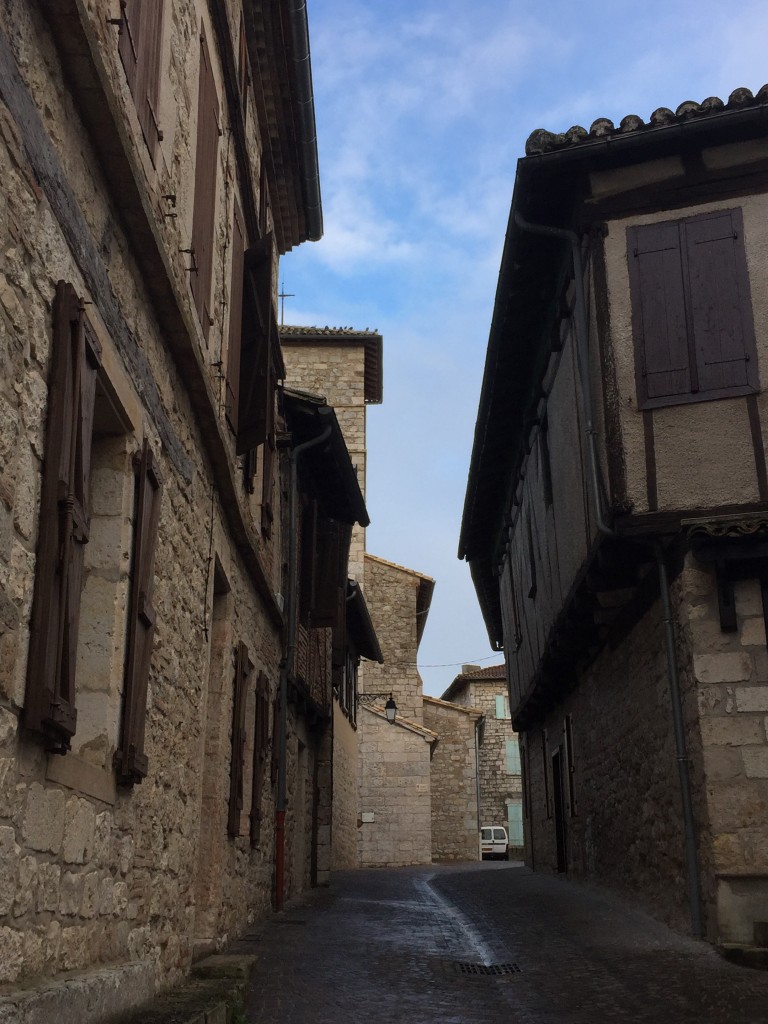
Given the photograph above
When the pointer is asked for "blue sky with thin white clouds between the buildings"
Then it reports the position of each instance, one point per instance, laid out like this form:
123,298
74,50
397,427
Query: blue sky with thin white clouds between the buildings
423,110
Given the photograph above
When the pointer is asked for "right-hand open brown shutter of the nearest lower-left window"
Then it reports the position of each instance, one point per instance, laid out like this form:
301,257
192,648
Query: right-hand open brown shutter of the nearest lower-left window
131,759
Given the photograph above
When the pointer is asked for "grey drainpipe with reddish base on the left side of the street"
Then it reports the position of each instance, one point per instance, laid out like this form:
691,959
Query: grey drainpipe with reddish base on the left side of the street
280,824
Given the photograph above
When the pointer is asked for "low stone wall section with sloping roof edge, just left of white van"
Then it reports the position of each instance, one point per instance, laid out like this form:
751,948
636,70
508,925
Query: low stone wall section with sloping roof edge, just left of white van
454,781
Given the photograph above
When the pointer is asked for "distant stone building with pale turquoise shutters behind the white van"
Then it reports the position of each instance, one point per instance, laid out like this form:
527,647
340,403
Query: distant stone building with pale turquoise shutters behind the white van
500,785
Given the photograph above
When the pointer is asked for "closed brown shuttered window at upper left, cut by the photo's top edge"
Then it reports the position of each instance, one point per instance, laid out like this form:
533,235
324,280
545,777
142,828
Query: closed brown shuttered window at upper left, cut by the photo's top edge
140,46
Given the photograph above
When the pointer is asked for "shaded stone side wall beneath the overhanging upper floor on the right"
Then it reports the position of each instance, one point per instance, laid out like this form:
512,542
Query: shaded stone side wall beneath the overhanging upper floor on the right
624,825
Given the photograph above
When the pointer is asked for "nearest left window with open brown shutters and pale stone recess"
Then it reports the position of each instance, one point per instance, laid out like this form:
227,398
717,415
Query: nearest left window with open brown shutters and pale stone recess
90,492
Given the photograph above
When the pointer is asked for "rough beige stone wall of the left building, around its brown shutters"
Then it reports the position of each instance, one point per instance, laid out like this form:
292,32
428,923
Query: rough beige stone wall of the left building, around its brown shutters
93,873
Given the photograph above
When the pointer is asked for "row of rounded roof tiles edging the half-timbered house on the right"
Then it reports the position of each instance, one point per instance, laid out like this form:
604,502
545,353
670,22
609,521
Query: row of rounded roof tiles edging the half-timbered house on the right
542,141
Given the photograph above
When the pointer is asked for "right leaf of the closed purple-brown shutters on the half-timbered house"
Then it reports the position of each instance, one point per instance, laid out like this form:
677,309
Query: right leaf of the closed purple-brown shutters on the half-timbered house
720,302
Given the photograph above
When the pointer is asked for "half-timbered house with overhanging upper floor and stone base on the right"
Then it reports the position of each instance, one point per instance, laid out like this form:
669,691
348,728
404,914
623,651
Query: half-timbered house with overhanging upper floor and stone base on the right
617,510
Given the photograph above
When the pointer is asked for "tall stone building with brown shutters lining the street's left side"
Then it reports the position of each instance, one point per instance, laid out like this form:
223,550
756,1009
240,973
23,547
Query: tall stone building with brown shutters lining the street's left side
164,753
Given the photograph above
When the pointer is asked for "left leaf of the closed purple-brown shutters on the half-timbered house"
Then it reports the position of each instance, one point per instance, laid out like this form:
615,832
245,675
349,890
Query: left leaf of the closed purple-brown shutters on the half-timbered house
659,321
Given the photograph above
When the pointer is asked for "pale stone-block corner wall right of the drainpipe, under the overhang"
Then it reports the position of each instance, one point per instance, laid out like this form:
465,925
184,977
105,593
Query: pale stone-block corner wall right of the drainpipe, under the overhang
731,678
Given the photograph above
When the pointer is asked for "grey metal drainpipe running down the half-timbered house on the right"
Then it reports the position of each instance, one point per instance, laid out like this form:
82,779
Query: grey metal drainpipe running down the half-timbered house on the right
582,331
